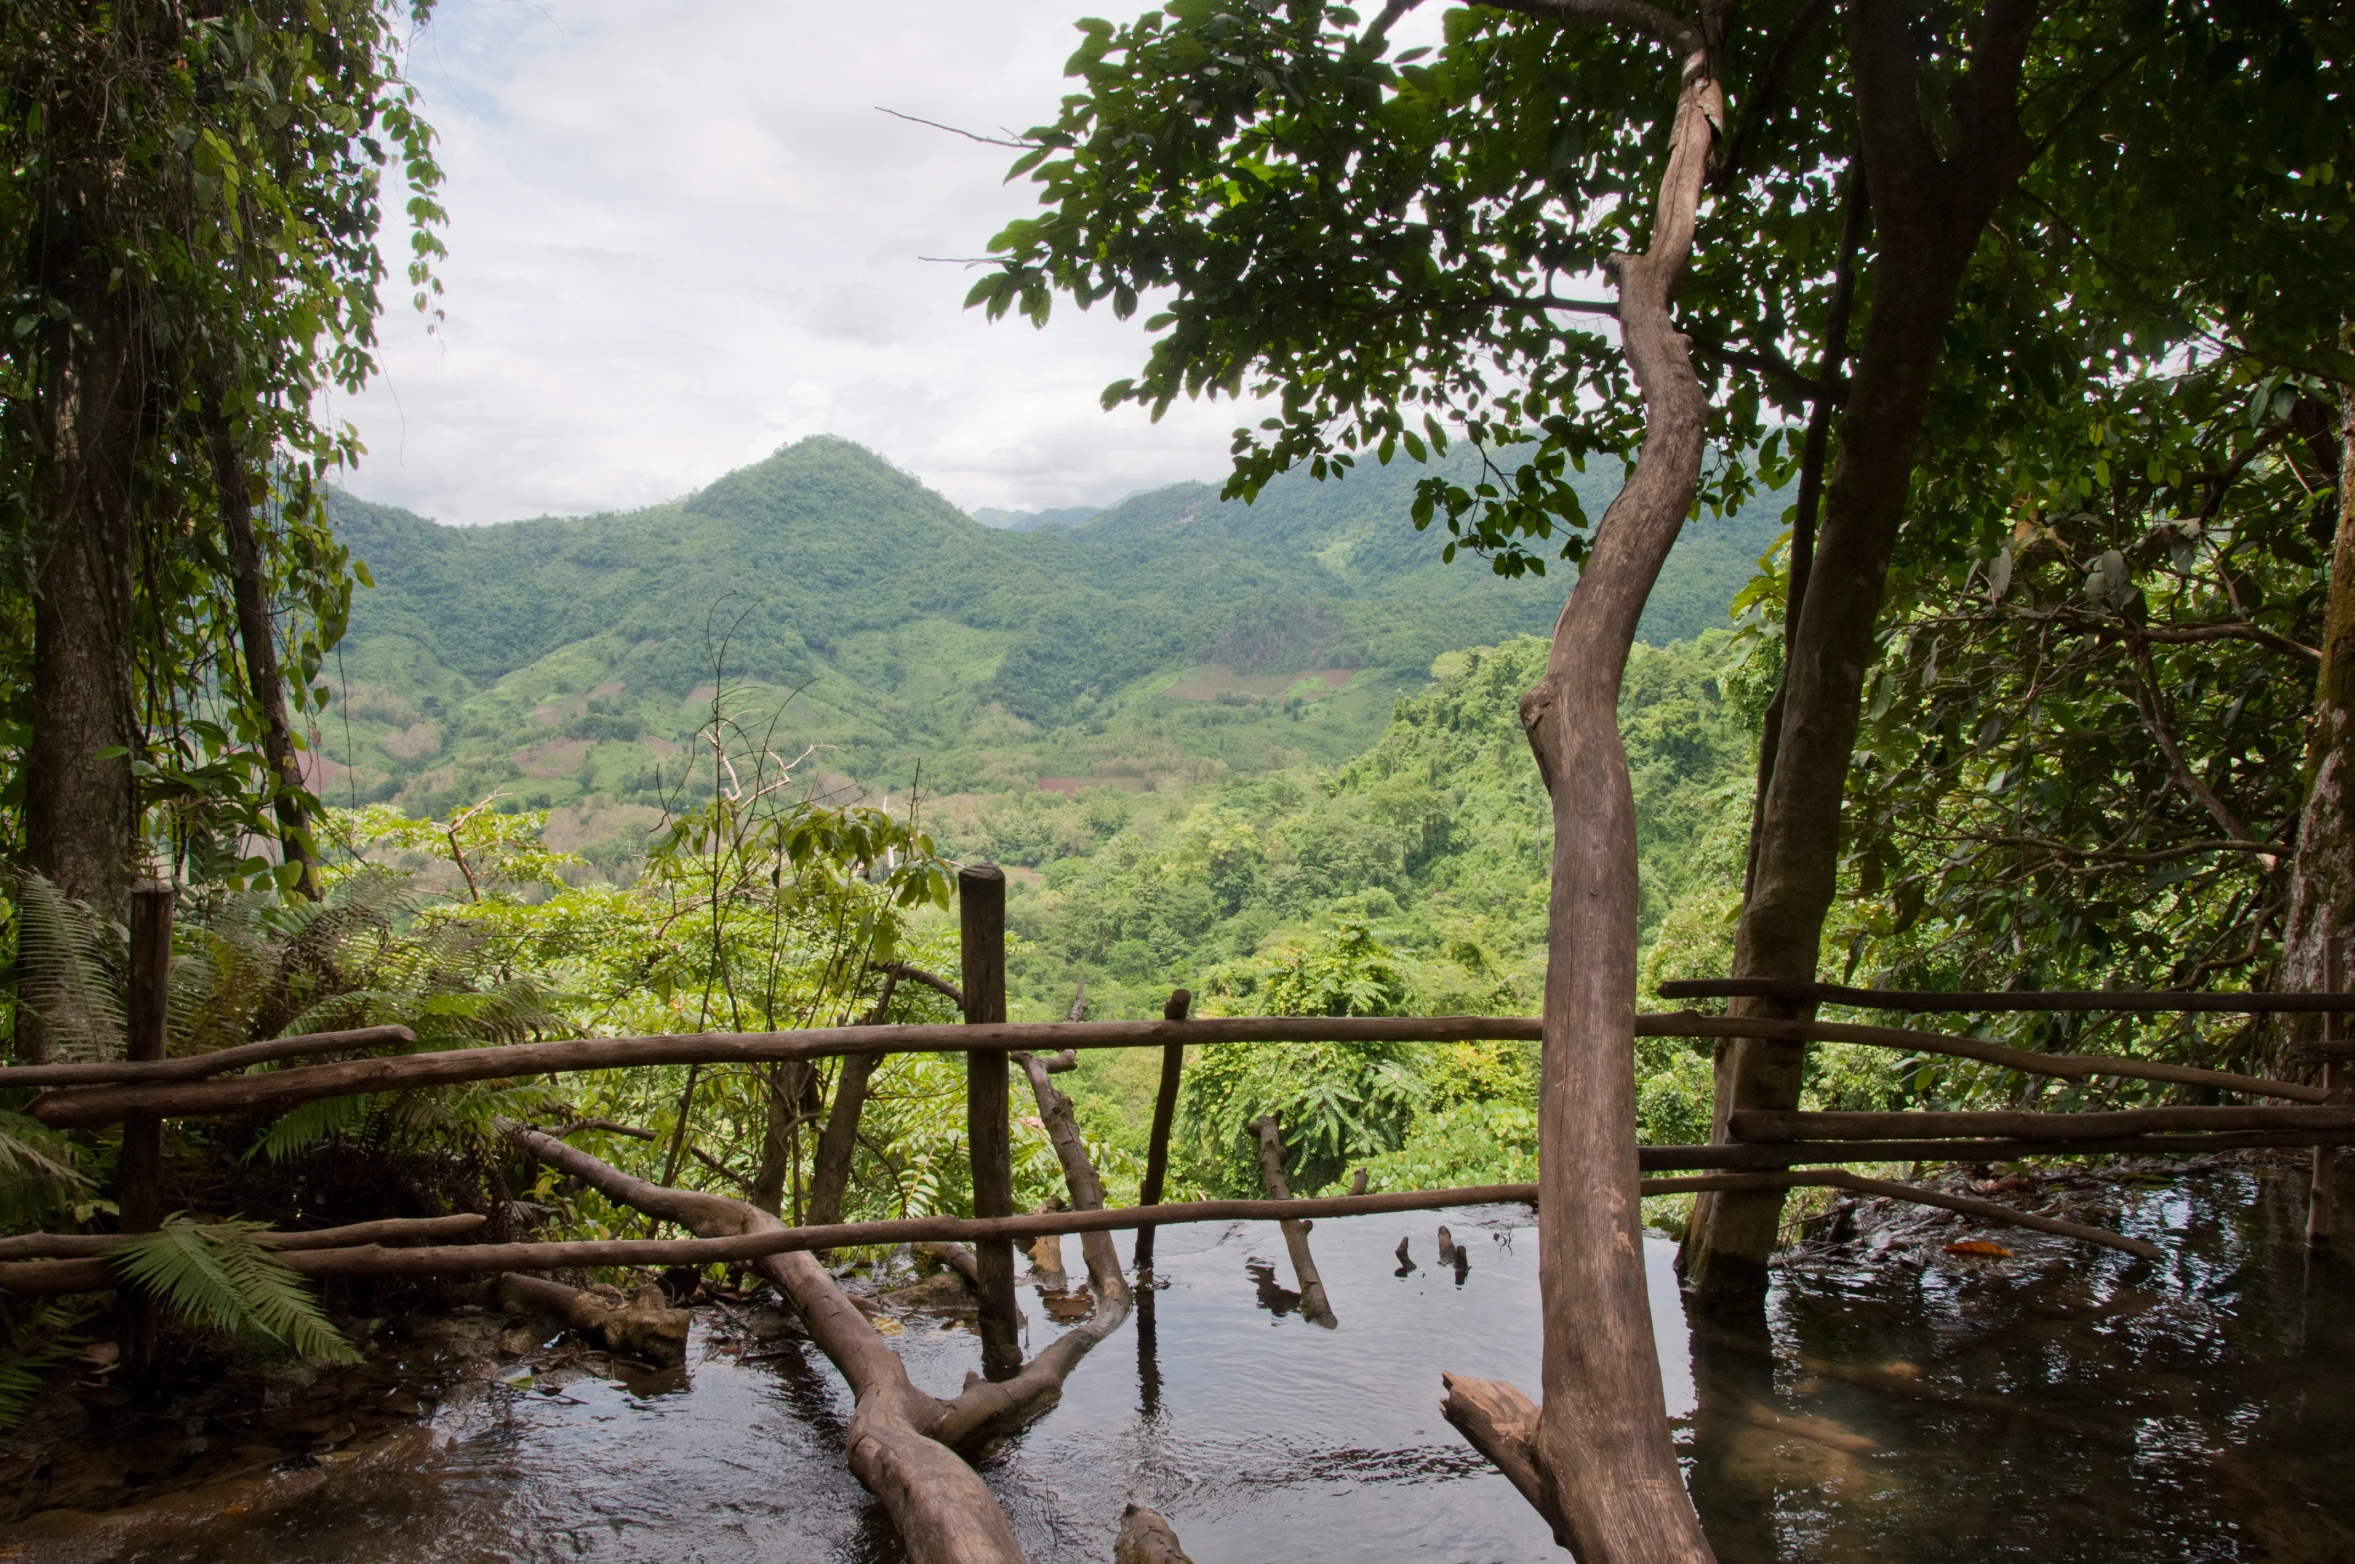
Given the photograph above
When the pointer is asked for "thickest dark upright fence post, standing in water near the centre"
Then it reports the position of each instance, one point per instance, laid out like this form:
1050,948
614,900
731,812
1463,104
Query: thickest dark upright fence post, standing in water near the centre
981,901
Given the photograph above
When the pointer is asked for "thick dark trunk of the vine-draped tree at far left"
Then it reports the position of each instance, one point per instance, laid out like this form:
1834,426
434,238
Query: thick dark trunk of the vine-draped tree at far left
81,804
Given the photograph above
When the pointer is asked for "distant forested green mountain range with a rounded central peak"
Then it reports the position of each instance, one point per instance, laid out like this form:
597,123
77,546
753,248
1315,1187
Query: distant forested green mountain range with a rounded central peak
832,599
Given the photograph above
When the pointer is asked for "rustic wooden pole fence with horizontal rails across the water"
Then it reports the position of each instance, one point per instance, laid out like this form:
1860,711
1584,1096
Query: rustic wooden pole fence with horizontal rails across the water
1765,1148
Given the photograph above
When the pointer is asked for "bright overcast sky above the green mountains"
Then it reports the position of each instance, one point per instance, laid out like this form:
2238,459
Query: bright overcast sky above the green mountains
682,237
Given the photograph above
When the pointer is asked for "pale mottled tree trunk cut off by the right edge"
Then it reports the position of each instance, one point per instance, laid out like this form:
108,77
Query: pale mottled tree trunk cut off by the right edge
2323,873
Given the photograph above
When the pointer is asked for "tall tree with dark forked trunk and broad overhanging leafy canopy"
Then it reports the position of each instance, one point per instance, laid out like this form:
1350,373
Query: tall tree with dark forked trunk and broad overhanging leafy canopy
1393,251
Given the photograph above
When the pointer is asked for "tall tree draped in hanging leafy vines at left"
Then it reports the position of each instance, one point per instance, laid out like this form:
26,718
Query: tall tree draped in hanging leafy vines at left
190,251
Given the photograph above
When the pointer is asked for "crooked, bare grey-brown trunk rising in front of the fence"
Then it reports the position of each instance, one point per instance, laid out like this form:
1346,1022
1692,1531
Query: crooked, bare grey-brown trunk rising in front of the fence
1603,1457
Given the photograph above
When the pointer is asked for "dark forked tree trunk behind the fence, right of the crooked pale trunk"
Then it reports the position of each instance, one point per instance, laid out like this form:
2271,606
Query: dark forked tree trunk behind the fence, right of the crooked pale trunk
1928,216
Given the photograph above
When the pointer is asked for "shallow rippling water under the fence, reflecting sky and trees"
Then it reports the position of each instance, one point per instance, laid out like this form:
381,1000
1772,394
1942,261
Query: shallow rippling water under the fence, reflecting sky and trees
1904,1405
